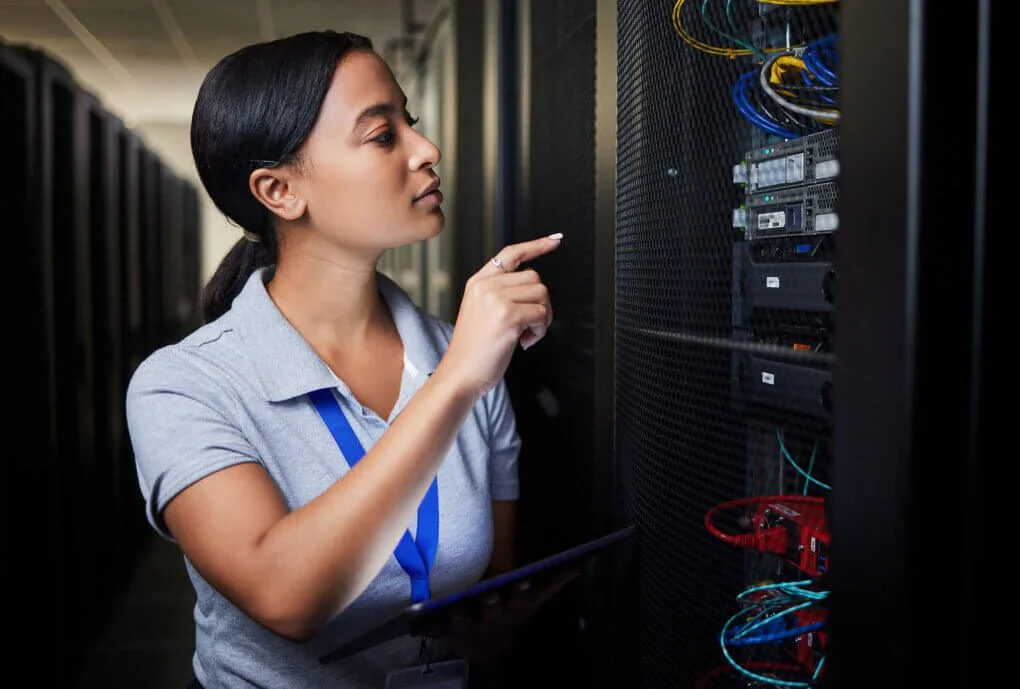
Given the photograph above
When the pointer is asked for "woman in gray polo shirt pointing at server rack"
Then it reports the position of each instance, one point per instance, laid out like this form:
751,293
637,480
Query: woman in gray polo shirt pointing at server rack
248,434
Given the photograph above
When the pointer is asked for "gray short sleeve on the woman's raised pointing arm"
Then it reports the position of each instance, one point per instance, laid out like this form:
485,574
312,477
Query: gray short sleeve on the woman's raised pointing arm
182,427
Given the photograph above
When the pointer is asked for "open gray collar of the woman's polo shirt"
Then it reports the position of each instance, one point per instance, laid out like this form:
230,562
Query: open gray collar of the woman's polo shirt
285,363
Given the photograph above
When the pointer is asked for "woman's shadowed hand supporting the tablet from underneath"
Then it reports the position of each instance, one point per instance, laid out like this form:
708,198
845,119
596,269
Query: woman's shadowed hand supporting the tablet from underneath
482,634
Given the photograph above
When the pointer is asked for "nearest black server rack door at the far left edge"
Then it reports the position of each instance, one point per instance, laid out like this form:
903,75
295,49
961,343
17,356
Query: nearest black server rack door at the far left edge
44,546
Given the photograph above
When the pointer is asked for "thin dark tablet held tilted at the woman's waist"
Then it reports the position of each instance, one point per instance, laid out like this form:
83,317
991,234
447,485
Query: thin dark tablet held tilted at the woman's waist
431,614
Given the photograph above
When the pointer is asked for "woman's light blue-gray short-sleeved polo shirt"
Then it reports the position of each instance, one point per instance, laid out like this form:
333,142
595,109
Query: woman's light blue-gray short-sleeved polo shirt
237,391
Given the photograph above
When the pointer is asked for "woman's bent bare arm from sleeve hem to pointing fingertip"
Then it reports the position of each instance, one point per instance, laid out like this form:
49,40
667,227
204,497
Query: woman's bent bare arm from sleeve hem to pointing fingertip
295,571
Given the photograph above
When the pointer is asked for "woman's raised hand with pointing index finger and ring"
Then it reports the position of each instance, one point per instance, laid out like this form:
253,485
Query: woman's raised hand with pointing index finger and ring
501,309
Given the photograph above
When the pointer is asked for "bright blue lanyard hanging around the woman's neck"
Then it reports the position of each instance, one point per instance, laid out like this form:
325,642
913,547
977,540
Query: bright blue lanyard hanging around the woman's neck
417,557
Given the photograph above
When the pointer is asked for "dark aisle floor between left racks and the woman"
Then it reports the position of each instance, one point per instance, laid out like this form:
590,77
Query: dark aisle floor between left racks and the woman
151,636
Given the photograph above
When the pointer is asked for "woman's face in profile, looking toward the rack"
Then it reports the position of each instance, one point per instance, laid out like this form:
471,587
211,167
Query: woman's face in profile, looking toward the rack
369,177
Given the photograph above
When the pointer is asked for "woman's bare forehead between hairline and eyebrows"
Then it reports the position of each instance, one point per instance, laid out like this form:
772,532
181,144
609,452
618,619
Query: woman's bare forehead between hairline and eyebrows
362,80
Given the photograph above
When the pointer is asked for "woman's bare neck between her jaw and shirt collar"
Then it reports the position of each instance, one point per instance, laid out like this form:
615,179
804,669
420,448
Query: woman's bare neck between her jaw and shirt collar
332,302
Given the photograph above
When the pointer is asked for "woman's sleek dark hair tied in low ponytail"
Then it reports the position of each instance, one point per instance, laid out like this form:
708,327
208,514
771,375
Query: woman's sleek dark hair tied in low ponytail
256,110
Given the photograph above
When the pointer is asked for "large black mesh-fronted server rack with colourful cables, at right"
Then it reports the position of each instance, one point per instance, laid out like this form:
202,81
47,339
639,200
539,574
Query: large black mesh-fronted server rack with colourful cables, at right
806,314
